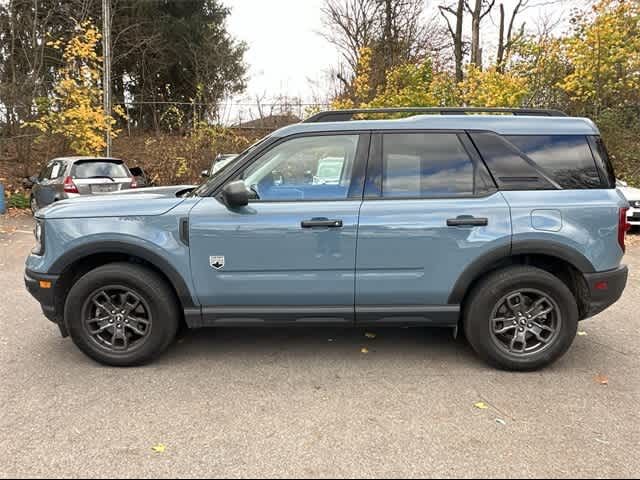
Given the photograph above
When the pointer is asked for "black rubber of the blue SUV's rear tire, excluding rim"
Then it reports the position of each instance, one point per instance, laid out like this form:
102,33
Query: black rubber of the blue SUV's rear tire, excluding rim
489,293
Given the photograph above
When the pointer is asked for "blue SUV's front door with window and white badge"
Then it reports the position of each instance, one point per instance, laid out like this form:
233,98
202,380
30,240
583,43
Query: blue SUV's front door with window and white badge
289,256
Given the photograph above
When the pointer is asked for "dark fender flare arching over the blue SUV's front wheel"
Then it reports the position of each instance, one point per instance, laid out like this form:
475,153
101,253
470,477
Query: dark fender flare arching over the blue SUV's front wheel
113,246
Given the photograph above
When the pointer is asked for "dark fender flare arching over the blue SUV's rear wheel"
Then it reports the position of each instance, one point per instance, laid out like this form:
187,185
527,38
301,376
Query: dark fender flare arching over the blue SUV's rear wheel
489,260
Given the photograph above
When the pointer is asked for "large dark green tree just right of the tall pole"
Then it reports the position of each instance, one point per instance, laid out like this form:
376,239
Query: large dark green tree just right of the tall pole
175,51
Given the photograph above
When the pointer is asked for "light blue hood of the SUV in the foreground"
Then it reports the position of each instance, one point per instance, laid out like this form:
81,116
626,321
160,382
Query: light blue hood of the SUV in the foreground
136,202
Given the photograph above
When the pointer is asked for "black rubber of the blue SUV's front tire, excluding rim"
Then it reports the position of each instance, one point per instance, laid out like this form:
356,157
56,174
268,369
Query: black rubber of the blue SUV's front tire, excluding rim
162,311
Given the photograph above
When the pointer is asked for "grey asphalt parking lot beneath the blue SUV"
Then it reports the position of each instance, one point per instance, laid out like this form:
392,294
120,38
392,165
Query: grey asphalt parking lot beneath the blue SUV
310,403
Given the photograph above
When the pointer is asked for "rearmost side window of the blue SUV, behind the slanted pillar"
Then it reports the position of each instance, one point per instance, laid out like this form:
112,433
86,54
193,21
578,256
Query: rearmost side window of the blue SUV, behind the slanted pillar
567,159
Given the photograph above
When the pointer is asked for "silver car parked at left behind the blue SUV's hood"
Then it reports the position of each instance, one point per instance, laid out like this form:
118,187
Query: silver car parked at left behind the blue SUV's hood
69,177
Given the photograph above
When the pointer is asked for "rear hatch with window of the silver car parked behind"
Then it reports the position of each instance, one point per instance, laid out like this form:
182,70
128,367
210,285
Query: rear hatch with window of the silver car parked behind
100,176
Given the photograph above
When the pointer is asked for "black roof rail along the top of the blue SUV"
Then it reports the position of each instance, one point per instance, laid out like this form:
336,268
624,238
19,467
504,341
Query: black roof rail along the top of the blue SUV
347,115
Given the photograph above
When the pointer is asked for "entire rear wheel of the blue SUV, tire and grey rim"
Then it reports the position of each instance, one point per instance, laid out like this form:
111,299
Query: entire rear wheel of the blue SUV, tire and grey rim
531,343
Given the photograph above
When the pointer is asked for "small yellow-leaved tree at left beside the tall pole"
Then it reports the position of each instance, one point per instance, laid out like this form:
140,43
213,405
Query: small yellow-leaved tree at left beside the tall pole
75,108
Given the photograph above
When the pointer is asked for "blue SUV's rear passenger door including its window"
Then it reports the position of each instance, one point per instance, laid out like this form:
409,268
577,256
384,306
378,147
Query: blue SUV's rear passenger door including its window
430,210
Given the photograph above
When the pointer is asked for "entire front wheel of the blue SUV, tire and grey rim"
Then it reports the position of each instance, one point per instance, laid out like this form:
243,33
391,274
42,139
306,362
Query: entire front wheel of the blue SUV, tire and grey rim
122,339
